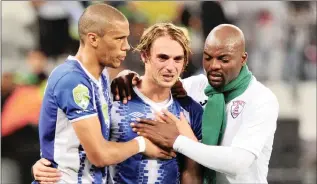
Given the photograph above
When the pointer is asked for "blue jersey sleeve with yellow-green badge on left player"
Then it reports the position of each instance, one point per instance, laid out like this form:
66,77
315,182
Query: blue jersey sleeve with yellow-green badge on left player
74,95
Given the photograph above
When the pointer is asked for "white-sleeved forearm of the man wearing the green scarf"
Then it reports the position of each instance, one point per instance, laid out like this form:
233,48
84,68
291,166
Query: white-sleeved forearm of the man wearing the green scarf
223,159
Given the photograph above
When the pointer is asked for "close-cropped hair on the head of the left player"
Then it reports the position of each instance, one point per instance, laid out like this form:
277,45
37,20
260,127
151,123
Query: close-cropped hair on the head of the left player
97,19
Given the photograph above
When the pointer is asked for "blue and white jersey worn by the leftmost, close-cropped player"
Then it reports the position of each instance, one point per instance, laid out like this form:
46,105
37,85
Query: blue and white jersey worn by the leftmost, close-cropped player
72,94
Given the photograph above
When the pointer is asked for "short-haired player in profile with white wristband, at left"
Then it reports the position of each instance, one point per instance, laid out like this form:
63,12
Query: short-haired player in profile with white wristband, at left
74,121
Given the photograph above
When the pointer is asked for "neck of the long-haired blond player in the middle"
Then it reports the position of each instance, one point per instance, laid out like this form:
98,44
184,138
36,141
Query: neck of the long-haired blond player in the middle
153,91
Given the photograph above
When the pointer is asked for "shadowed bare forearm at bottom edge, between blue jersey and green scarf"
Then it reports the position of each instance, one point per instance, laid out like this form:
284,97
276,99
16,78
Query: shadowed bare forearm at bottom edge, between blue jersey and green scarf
192,173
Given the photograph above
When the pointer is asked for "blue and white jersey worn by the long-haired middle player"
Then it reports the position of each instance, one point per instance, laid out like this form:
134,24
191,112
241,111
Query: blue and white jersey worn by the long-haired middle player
139,169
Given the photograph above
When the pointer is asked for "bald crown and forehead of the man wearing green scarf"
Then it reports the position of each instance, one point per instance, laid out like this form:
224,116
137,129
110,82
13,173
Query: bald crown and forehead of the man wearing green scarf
229,35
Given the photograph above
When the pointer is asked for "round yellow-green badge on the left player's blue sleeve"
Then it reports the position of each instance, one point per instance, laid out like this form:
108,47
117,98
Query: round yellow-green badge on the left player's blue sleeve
81,96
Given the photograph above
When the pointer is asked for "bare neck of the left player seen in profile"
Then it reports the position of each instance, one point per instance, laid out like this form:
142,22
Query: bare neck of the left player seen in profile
89,61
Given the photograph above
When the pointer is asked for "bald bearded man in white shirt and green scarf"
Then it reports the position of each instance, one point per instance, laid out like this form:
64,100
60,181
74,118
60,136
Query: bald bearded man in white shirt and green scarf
239,119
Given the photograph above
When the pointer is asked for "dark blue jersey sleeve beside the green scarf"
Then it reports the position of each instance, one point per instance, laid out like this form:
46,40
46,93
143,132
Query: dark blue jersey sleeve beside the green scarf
193,113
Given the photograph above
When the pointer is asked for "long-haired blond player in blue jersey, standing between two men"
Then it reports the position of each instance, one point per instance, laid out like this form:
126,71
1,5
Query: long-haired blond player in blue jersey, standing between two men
164,49
